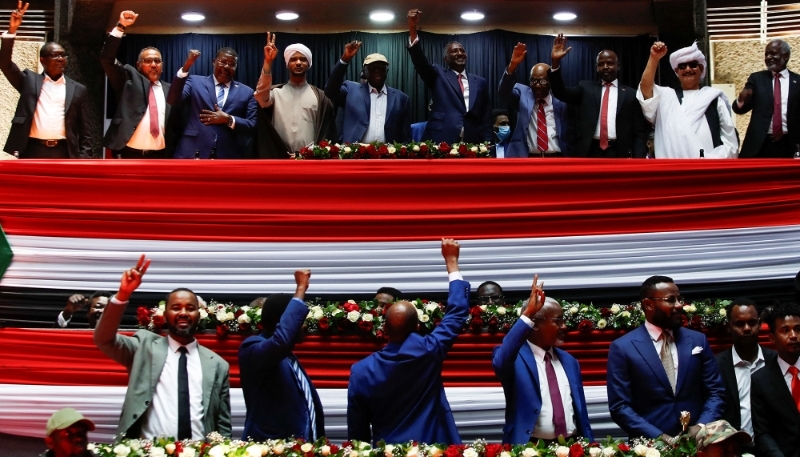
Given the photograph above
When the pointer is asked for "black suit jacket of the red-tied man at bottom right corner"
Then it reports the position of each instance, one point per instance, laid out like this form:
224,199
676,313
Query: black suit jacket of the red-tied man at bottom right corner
776,420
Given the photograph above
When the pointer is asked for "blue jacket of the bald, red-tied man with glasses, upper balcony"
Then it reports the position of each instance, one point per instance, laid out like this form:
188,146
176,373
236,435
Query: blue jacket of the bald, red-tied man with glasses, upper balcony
520,98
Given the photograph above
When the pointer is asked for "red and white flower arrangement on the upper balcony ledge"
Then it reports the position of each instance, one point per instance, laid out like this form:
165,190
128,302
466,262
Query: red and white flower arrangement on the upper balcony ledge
378,150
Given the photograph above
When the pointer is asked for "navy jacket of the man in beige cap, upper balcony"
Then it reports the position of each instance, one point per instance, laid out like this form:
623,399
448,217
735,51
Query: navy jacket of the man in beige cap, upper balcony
354,98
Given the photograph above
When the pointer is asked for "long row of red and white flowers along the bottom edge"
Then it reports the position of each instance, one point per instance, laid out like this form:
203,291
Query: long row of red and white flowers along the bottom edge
217,446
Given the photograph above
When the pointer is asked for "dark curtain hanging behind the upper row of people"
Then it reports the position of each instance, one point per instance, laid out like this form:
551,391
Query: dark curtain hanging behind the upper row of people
488,55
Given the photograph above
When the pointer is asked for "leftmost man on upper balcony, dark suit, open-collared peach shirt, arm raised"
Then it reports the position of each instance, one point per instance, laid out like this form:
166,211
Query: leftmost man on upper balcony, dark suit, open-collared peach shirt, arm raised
51,119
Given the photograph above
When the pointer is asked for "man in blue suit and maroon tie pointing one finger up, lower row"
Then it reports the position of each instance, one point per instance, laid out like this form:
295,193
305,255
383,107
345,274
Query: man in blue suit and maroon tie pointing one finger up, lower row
542,384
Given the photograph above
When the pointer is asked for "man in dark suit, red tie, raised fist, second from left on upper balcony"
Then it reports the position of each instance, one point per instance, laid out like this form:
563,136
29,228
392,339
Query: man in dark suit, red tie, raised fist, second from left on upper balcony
138,129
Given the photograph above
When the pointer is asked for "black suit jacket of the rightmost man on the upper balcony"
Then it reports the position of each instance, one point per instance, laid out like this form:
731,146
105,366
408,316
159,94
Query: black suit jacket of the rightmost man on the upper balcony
761,83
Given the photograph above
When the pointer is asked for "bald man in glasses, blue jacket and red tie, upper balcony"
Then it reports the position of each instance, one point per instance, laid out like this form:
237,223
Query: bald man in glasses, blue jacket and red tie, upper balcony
541,118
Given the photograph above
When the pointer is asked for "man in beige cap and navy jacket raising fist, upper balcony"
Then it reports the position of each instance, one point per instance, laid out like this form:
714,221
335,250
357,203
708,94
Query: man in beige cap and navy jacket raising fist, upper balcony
373,111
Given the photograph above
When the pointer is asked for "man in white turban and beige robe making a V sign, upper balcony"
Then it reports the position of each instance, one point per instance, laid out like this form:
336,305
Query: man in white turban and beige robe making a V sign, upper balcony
294,114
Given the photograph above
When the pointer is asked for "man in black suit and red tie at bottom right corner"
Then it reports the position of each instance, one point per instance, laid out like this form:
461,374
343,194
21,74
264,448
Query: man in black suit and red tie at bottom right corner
776,388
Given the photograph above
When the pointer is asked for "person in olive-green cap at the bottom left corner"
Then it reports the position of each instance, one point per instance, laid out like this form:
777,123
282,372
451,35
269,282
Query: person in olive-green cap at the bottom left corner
66,434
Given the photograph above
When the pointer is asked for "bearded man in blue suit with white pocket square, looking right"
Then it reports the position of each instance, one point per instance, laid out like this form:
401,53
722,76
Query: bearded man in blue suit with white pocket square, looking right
660,369
